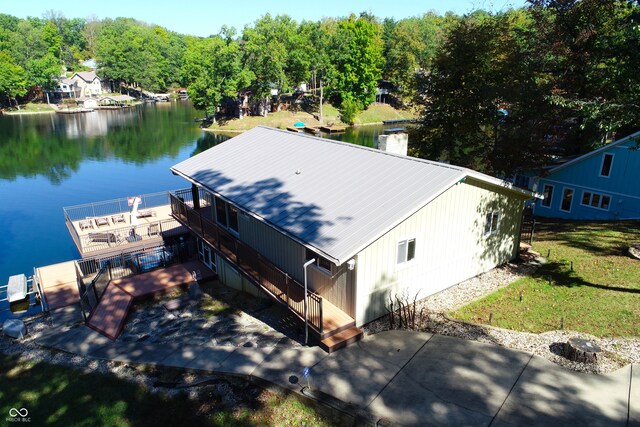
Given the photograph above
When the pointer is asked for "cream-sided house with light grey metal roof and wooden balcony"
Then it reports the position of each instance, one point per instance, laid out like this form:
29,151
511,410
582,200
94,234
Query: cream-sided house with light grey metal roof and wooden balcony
334,230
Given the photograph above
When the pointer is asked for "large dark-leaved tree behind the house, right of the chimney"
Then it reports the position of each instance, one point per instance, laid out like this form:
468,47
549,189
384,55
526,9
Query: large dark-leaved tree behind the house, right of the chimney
483,70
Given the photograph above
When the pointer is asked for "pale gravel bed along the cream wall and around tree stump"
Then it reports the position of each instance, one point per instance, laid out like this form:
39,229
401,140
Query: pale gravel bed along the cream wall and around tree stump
616,352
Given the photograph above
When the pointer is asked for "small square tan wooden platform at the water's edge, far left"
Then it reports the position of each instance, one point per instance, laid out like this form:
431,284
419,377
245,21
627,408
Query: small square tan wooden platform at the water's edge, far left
59,284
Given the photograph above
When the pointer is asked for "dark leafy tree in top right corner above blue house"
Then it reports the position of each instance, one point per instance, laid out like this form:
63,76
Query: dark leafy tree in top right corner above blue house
588,51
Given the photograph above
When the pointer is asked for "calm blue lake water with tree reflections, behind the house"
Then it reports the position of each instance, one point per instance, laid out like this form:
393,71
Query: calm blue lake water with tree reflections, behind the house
49,161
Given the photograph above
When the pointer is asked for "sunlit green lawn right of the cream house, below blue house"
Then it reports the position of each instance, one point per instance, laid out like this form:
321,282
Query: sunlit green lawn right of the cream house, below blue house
600,296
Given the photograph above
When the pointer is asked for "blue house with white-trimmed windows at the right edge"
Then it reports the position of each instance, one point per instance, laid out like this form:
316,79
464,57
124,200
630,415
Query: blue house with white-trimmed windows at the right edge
601,185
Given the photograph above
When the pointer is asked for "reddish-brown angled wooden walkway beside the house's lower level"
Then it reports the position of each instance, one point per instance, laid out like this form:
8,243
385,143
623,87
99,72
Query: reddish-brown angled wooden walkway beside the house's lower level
110,314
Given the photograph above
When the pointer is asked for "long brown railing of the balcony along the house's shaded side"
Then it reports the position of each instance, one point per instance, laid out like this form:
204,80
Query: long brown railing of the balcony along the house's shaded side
253,265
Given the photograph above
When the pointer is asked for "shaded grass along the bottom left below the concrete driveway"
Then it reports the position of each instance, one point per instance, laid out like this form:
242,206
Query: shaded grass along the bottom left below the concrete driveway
56,395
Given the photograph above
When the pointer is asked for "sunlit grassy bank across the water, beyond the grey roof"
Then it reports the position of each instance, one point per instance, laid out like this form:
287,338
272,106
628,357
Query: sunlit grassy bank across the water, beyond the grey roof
376,113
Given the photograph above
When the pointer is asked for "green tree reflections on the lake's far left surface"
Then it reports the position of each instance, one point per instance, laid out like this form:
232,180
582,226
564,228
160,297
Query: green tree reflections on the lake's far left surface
55,145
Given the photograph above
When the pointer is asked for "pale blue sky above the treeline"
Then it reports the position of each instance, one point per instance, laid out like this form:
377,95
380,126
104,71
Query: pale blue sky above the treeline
206,17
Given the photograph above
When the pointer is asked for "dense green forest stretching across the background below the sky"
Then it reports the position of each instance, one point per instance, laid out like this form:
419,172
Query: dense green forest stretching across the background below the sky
495,91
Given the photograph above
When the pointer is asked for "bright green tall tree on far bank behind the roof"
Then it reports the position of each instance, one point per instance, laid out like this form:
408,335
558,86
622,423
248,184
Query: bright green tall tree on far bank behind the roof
356,64
